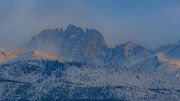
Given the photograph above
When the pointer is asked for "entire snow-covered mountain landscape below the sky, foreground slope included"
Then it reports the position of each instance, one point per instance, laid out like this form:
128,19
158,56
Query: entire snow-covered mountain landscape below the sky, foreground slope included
76,64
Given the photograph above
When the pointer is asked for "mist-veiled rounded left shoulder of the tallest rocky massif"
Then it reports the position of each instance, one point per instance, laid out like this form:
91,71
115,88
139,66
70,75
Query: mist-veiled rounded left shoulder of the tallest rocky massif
46,40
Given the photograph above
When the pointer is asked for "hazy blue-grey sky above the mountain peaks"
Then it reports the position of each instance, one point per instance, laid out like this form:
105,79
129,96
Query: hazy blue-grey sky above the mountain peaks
150,23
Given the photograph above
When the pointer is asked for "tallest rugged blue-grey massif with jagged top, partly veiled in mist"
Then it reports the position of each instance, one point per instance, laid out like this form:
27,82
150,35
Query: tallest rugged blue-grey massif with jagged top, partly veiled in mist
73,43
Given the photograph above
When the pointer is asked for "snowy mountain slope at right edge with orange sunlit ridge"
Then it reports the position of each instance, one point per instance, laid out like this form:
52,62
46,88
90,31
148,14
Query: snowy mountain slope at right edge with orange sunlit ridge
167,62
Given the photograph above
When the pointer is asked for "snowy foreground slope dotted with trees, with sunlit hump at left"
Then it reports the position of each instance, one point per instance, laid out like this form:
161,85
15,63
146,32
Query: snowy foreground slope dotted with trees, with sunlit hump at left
36,76
